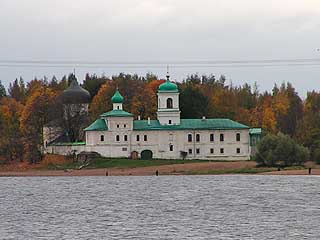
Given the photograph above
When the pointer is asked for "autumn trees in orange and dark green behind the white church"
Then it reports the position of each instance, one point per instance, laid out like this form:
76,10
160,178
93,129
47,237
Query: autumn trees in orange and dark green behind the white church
26,107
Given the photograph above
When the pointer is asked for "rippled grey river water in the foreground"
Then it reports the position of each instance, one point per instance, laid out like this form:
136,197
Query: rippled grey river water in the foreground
164,207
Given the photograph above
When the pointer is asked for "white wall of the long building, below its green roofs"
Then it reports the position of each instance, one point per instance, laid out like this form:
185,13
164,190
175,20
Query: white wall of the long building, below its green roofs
159,143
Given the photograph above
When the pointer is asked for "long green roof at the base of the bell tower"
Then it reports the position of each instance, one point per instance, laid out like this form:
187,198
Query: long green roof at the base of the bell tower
189,124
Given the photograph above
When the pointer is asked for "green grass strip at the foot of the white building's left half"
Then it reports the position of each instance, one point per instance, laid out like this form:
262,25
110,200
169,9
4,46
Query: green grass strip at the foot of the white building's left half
123,163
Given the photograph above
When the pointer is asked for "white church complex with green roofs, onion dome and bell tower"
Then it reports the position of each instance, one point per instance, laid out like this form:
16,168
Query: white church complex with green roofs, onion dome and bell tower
116,134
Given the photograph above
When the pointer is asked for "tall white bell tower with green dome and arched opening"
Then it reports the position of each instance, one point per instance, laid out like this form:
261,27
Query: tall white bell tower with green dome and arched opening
168,103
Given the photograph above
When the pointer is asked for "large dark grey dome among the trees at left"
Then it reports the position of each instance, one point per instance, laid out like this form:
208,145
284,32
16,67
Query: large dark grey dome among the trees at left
75,94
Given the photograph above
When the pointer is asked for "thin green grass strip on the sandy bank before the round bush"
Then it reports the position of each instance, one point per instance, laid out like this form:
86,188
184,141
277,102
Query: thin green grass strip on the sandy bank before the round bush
232,171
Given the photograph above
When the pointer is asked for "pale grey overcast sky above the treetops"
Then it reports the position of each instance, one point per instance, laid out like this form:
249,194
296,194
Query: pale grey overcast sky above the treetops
163,30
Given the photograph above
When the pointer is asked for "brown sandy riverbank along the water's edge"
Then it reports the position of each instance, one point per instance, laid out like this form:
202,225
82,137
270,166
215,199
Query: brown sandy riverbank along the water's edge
194,168
